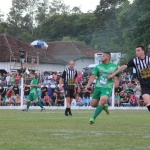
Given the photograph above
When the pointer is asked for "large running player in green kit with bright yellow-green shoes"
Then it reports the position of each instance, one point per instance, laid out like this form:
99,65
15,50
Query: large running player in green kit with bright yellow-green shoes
103,88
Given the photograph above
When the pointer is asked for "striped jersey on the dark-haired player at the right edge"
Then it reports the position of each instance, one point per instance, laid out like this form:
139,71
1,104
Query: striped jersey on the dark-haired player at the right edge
142,67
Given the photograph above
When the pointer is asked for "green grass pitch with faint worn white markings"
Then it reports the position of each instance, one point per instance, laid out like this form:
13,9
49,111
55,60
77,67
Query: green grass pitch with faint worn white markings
51,130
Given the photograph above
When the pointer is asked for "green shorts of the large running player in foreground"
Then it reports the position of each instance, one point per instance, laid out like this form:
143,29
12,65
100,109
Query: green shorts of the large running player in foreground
99,92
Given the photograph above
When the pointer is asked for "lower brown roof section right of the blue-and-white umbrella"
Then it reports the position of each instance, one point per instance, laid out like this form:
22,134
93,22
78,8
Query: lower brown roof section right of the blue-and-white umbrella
70,50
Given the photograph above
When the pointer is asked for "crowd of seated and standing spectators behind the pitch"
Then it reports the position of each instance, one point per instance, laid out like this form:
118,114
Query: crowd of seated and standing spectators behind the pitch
127,94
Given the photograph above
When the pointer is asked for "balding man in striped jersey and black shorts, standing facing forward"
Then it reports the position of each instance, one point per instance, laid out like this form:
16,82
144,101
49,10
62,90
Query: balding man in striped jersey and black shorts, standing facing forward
69,79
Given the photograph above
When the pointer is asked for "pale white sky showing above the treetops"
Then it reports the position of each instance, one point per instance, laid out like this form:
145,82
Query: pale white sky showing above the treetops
84,5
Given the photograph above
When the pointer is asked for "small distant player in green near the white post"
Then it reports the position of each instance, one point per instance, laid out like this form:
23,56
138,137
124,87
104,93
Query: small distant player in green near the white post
33,96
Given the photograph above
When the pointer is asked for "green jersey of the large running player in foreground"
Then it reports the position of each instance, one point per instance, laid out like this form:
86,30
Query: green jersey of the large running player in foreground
102,71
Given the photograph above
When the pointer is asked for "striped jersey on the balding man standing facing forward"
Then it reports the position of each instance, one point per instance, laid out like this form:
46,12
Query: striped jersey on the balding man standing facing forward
69,77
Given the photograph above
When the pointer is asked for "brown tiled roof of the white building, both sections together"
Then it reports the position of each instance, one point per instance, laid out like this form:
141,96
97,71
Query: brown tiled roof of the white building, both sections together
57,52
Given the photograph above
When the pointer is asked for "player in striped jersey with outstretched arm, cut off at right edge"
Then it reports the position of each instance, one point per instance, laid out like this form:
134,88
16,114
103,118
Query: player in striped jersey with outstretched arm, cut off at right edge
142,65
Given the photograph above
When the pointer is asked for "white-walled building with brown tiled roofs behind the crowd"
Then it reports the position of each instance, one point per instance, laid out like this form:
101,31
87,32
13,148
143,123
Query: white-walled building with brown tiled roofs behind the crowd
54,58
